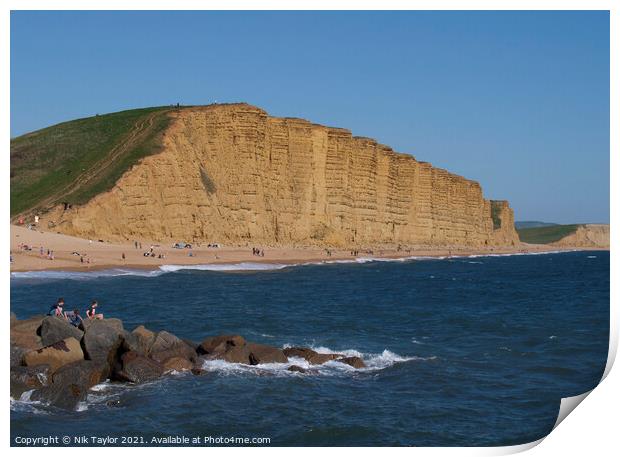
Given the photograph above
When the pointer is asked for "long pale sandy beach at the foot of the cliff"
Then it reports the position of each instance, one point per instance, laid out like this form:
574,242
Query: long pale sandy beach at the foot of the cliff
29,252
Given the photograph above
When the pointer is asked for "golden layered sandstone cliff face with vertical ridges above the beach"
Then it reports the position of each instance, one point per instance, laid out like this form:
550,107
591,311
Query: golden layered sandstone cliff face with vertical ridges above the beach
233,174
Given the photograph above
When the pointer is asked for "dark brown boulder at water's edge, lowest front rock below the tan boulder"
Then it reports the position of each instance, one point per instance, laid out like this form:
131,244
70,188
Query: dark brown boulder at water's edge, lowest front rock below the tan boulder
69,385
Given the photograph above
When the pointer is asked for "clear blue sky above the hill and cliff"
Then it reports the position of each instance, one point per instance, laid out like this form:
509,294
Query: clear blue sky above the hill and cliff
516,100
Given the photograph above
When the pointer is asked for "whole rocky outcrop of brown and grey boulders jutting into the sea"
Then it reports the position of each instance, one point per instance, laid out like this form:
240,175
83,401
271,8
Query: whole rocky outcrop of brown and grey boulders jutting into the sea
62,373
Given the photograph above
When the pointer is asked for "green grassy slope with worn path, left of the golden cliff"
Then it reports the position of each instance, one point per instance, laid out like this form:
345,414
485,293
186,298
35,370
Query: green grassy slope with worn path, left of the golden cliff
47,164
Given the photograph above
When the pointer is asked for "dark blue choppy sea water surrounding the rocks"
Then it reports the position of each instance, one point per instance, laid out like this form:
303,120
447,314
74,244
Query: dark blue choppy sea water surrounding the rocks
461,352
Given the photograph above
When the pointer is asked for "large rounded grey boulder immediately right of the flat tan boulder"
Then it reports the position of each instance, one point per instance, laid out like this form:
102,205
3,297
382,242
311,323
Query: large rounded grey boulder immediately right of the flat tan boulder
102,340
